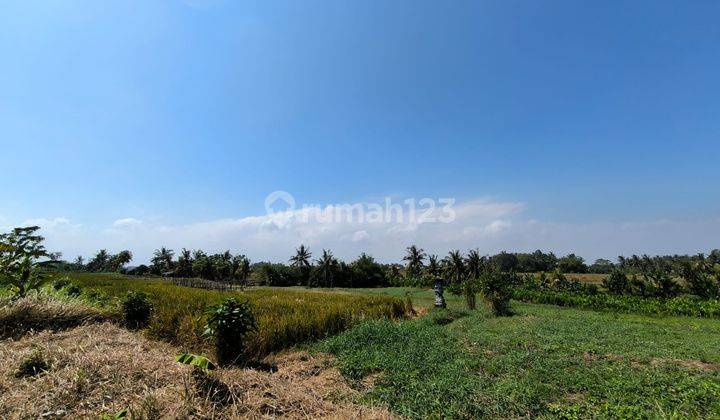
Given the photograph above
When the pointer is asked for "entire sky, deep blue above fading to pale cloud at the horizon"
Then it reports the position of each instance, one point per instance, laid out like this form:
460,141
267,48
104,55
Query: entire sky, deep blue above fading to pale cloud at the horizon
594,126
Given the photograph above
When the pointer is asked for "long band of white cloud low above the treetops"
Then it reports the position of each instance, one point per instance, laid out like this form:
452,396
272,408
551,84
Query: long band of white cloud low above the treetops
489,225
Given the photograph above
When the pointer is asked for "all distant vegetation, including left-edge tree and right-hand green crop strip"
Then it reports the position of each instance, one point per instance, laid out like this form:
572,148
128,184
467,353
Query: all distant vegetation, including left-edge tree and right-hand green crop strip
537,276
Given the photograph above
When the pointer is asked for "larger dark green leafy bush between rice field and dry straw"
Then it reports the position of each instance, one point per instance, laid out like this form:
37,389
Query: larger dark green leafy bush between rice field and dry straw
227,324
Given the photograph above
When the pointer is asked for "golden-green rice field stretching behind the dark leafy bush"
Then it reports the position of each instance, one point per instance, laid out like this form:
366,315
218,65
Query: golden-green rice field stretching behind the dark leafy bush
285,316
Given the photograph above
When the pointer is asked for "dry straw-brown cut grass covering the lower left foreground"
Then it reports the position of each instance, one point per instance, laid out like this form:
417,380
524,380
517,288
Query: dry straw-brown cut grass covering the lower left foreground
102,368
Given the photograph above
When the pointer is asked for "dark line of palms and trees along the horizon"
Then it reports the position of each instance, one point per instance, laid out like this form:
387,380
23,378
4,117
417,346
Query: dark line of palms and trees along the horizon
327,270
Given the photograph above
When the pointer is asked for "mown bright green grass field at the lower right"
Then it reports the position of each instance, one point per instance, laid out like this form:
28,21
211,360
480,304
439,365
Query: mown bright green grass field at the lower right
543,362
